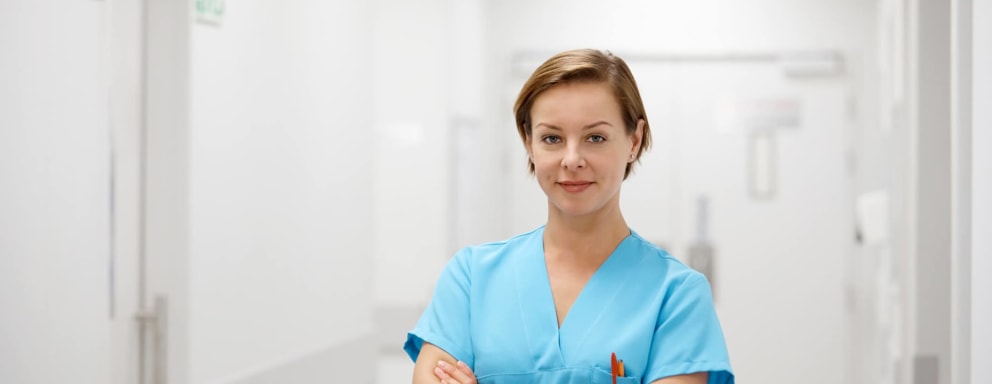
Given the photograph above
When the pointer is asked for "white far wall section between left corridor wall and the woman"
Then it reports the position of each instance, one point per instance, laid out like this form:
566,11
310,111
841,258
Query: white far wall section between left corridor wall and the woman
431,180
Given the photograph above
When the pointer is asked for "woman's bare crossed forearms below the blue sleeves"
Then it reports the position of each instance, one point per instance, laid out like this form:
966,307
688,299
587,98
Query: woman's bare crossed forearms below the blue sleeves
434,366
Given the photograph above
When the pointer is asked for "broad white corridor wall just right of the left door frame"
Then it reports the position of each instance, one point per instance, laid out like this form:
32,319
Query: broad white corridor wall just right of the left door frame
281,161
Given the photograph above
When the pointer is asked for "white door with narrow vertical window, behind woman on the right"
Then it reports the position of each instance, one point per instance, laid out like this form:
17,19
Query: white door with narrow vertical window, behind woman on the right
767,153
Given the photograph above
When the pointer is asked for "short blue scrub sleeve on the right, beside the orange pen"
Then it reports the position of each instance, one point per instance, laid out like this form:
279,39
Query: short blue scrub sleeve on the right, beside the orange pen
688,337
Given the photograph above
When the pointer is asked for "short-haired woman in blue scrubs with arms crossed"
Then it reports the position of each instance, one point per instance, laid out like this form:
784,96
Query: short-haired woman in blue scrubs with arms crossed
554,305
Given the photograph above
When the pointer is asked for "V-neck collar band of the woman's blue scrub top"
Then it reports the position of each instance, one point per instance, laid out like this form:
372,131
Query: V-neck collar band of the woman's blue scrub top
550,344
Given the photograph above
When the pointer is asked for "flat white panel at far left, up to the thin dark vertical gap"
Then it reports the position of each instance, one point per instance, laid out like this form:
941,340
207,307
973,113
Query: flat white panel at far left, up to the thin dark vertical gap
54,193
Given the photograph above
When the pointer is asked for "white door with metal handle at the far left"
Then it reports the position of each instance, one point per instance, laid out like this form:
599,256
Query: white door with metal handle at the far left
71,221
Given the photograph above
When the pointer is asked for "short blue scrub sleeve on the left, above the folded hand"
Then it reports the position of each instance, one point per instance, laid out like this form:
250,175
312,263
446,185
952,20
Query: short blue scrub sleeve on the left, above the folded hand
445,322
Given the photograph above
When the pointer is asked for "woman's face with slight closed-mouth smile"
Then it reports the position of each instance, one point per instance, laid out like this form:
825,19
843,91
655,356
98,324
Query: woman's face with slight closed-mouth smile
580,147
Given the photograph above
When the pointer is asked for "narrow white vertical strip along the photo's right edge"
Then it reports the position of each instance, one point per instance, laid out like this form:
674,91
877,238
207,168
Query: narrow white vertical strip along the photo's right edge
981,194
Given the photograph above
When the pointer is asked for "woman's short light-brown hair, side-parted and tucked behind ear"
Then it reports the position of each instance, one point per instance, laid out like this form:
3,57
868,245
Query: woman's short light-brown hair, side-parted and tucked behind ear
585,65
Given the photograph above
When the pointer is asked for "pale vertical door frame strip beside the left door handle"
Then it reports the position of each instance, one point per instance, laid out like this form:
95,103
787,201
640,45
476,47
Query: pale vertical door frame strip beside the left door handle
166,200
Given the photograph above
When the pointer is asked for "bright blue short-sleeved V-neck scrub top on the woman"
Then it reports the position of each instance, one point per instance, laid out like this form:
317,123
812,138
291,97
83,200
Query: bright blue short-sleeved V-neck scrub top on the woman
492,308
